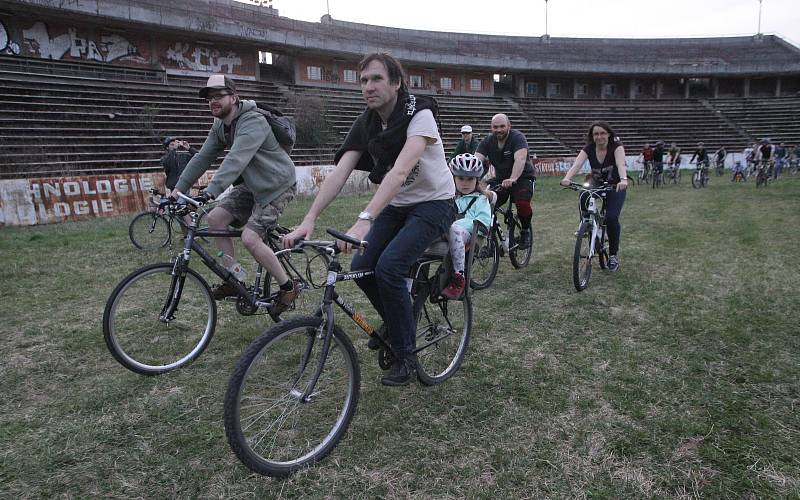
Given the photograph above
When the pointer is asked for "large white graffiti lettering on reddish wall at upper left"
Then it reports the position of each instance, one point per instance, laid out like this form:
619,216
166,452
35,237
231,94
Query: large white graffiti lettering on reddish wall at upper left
107,48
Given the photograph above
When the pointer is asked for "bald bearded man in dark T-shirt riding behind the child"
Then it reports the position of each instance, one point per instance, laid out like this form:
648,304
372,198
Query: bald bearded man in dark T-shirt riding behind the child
506,150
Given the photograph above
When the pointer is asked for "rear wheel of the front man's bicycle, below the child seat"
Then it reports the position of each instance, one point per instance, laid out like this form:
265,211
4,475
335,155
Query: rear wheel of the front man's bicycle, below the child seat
443,331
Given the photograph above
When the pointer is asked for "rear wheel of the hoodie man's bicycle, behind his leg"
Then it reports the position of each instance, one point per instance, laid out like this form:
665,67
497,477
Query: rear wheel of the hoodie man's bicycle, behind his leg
310,268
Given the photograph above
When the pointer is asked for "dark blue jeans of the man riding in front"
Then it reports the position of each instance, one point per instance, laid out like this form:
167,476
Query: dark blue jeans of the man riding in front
398,237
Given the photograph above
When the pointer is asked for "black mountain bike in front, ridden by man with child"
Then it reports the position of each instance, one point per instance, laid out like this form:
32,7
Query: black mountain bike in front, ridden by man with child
295,389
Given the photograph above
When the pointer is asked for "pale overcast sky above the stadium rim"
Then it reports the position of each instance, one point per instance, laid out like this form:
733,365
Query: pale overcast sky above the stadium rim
570,18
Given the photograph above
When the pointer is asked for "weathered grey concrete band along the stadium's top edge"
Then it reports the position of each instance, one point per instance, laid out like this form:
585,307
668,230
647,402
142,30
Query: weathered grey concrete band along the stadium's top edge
237,22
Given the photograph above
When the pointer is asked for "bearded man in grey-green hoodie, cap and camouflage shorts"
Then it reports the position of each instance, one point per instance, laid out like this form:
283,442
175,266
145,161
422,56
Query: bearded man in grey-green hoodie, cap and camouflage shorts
263,176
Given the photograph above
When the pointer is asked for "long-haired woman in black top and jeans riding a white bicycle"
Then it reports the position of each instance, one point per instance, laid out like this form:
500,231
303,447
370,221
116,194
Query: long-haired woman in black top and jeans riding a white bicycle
606,158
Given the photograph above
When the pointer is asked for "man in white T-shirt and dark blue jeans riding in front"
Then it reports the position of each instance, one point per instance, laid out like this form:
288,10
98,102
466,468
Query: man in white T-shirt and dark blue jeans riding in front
397,140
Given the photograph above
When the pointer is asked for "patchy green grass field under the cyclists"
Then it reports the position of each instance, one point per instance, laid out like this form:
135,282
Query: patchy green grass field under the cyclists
675,377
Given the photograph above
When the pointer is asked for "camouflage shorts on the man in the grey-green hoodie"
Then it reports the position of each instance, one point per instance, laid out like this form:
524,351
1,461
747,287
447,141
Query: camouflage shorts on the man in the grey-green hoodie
240,203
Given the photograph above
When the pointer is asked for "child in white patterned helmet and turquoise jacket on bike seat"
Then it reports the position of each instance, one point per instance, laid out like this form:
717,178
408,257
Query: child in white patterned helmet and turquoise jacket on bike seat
472,203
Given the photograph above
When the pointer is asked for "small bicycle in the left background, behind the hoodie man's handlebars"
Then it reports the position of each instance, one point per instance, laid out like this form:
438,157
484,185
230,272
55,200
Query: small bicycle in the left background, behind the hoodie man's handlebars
153,228
